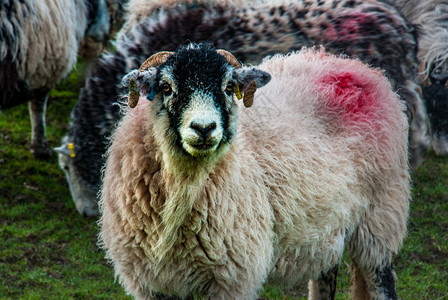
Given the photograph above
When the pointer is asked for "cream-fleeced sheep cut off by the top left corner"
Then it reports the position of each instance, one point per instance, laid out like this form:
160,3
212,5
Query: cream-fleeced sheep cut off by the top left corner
39,45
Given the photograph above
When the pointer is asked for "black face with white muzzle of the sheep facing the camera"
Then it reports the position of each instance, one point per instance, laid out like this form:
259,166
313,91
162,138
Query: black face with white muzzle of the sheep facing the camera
199,105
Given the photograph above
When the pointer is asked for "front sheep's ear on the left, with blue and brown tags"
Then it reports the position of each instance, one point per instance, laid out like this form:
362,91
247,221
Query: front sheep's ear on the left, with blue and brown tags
139,83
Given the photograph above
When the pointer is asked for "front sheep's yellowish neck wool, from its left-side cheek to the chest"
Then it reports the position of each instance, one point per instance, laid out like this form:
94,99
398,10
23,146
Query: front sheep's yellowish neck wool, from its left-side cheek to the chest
186,179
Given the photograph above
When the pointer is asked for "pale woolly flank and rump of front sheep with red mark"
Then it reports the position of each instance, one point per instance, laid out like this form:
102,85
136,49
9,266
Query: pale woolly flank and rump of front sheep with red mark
340,132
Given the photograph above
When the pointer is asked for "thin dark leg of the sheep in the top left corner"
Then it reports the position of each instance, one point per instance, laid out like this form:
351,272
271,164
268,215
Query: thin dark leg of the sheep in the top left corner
37,109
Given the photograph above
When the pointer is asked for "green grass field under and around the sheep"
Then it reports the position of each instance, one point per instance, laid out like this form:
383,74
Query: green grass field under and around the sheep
48,251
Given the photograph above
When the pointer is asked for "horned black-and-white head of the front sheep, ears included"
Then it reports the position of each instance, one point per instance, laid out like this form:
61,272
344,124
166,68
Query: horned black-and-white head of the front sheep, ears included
193,88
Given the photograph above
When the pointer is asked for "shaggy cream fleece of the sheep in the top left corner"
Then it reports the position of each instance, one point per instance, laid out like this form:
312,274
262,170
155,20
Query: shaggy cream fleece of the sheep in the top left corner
42,40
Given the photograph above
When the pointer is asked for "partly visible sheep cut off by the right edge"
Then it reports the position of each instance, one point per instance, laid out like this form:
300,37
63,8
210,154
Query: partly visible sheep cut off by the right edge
431,17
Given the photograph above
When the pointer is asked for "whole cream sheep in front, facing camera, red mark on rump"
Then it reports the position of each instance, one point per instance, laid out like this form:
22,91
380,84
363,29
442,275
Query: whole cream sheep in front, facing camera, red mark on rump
202,196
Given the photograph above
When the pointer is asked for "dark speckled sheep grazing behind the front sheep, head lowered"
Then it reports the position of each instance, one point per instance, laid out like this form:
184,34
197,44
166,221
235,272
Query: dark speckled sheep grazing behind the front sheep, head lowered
250,32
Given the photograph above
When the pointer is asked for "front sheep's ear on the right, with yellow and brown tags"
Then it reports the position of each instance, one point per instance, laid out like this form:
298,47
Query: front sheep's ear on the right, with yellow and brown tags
249,79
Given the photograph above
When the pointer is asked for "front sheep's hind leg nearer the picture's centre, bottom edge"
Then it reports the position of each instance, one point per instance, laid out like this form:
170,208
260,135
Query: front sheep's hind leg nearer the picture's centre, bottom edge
325,286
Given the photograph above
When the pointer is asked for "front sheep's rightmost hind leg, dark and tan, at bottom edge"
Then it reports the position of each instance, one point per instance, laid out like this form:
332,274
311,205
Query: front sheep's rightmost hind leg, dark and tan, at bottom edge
379,284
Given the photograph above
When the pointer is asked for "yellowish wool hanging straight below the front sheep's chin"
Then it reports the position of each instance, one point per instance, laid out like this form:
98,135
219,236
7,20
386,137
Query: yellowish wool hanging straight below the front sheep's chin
186,181
